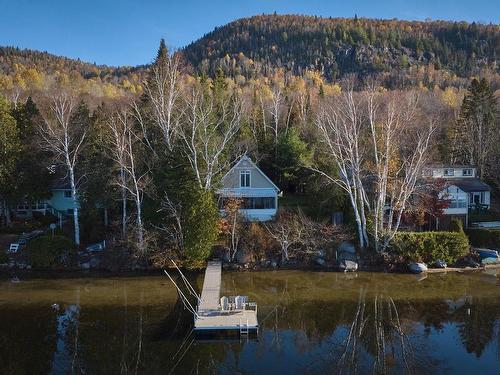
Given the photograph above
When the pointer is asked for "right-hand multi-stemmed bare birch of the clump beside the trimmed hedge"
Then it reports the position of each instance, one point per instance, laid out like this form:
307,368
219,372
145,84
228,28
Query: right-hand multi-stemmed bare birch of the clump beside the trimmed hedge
399,157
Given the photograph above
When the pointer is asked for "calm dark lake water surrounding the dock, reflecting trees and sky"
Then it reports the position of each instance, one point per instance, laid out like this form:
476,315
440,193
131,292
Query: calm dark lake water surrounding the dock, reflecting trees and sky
311,322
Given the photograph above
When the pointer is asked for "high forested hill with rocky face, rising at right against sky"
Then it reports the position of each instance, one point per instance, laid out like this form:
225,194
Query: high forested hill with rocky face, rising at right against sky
340,46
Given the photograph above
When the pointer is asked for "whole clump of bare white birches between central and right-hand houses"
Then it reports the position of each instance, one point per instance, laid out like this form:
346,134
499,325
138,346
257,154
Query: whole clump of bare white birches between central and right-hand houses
373,147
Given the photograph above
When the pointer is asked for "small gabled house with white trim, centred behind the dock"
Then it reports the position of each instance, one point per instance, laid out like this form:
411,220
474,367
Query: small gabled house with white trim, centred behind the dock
259,194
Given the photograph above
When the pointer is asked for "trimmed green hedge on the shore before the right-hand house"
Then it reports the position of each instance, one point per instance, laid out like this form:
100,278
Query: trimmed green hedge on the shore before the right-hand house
431,246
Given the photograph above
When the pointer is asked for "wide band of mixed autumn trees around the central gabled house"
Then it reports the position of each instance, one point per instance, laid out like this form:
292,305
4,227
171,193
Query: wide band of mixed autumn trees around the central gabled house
147,167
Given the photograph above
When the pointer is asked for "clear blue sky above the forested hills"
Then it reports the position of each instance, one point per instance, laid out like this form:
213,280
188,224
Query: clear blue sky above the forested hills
127,32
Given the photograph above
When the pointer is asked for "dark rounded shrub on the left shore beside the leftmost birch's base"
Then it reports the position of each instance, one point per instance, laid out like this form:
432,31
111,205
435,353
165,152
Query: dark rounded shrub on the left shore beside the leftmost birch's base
48,252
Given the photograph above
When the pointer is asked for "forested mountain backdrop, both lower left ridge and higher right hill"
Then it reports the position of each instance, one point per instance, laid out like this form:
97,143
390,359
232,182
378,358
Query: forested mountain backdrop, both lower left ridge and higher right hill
402,53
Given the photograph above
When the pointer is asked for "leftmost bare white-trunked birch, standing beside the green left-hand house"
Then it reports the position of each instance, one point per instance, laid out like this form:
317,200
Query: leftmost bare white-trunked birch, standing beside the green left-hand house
65,140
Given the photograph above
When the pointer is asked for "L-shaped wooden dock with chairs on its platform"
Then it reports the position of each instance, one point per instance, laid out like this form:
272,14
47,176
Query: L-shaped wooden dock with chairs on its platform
210,314
